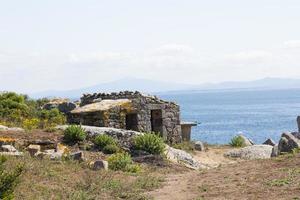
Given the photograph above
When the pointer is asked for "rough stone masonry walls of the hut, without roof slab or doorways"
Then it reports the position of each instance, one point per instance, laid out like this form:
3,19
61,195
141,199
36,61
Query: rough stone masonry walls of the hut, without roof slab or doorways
142,105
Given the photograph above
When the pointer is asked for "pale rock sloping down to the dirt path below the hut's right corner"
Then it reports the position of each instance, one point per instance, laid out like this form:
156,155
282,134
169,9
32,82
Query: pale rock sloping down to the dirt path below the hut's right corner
182,157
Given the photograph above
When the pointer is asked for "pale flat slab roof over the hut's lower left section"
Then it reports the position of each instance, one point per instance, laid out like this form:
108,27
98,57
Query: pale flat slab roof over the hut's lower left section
101,106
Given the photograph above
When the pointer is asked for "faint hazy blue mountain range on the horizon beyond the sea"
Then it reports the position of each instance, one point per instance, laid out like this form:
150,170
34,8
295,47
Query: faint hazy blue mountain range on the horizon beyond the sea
149,86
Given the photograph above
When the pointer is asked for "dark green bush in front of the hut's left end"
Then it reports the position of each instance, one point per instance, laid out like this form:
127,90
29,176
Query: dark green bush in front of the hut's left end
74,133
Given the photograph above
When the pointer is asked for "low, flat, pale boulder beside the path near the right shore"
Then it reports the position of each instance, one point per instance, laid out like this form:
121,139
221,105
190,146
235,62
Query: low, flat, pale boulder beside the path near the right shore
251,152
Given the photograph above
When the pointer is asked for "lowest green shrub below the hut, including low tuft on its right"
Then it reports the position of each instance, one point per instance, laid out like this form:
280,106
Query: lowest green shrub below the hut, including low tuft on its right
122,162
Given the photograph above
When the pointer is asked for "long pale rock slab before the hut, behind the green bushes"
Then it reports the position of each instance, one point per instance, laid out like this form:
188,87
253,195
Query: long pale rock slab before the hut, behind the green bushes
124,137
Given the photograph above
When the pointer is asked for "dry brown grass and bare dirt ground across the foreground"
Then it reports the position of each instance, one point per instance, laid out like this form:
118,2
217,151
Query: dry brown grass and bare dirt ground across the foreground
277,178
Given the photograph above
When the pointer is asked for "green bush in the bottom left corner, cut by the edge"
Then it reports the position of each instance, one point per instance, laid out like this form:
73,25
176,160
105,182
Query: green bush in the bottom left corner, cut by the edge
8,179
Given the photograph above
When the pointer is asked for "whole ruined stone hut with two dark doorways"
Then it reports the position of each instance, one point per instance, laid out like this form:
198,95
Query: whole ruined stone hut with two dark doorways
131,111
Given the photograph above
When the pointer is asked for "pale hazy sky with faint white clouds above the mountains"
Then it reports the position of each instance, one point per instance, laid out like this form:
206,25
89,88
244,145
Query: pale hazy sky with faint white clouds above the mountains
48,44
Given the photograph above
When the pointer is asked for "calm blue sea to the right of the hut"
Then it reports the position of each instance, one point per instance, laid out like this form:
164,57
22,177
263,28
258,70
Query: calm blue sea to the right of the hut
222,114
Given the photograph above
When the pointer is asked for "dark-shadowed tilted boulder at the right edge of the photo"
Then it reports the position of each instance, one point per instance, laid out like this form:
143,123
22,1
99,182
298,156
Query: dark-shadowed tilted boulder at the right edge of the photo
287,143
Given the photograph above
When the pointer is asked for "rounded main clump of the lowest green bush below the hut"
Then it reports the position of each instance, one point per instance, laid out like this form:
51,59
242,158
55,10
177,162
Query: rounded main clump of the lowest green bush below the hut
119,161
